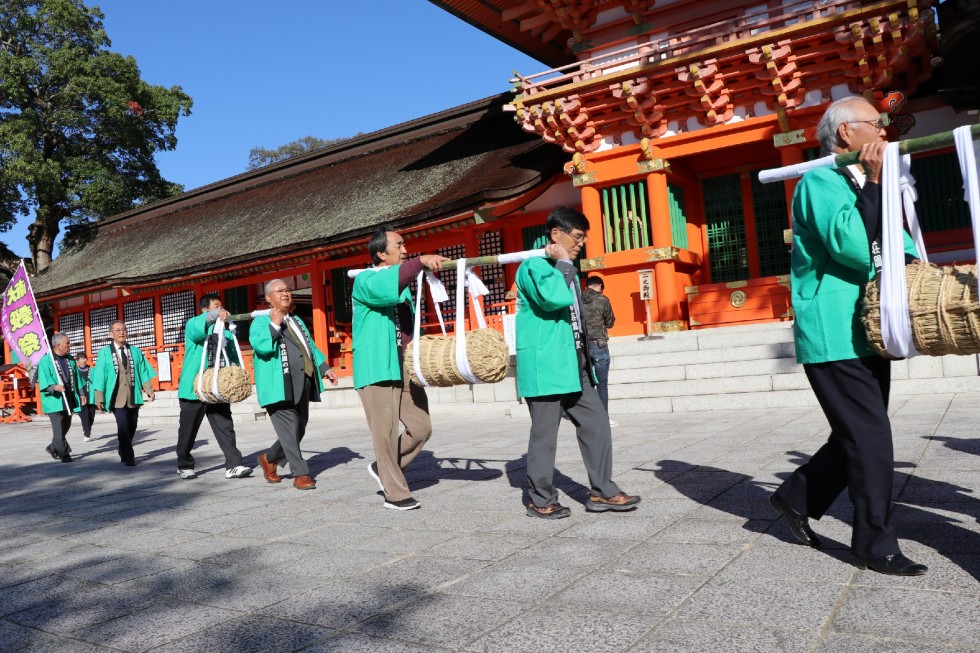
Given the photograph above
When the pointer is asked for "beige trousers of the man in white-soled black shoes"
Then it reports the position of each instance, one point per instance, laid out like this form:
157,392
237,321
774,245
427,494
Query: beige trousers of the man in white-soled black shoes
385,405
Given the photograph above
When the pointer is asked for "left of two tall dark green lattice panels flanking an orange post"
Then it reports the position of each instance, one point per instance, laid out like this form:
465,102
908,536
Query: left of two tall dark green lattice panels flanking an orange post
726,228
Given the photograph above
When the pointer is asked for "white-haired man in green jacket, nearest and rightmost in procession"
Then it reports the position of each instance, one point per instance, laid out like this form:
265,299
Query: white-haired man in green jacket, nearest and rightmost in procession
836,236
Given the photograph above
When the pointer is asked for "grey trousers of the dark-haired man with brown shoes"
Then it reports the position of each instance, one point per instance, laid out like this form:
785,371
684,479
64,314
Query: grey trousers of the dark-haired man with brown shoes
594,441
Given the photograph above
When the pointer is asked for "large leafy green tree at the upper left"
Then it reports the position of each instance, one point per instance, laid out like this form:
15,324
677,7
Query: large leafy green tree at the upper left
78,125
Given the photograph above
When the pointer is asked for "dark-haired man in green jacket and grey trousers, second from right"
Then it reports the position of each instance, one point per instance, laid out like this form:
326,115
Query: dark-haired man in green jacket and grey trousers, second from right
555,372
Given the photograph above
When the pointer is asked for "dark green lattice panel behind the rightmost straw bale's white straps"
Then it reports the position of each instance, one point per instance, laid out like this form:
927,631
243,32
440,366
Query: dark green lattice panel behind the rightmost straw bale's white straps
940,186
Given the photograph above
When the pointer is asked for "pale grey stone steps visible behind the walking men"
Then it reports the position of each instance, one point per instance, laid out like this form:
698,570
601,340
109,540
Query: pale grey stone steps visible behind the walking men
728,368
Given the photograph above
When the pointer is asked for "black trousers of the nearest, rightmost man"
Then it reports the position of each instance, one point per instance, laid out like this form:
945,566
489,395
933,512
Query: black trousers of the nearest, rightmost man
858,456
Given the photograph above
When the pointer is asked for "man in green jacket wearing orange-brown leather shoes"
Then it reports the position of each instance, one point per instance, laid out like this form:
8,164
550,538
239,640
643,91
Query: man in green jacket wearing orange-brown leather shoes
288,370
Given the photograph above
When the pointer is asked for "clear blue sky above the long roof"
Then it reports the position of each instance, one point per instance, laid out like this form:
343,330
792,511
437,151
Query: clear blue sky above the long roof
265,73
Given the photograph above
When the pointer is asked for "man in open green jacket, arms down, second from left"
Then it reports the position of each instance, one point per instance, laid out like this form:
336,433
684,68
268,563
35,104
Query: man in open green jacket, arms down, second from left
122,375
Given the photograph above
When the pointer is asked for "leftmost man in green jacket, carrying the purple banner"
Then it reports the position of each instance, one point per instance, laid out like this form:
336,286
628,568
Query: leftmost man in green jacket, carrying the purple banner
60,398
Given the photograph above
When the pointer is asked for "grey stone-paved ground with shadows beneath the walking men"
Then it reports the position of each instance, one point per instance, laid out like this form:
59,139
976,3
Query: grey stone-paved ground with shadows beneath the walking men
95,556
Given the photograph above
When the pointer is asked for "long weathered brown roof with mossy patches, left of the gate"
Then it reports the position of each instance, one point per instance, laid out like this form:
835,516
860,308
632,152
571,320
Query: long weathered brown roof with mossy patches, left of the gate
437,166
